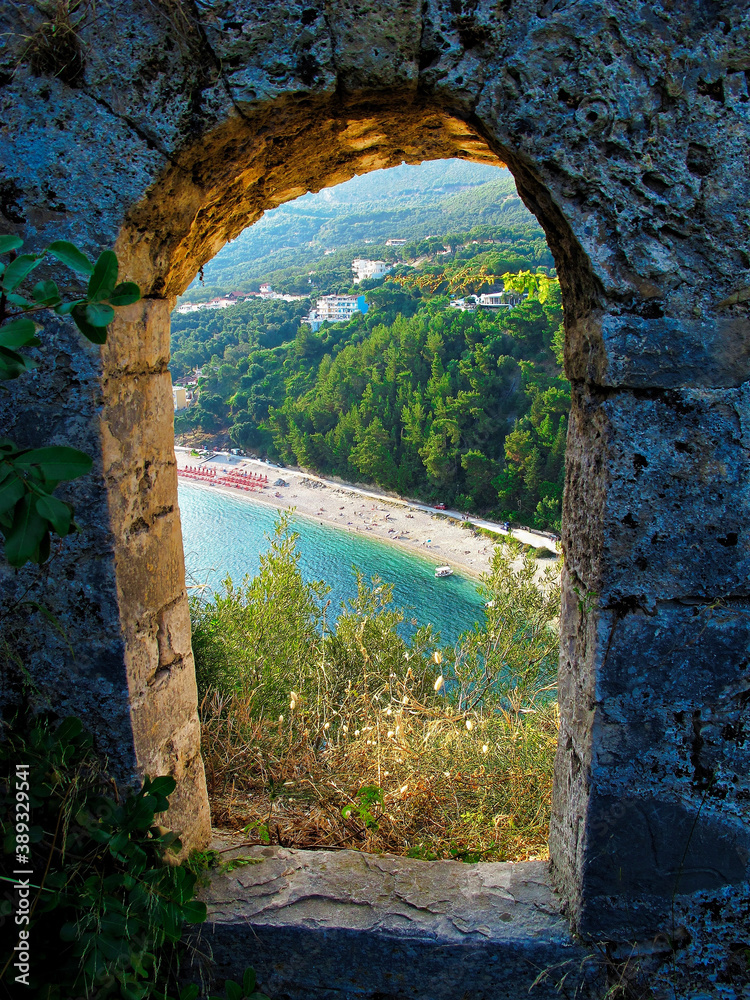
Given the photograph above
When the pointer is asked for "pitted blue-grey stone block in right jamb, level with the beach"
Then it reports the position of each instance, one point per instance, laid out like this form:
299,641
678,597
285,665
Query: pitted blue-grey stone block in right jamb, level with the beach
656,503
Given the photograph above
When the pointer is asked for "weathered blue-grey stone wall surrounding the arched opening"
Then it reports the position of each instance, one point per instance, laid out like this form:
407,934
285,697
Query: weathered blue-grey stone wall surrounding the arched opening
626,128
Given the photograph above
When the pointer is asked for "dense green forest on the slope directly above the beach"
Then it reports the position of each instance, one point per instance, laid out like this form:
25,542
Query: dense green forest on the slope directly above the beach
466,407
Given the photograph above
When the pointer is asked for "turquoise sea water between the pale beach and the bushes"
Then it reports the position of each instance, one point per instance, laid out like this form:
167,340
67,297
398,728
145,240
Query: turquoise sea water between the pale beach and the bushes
225,535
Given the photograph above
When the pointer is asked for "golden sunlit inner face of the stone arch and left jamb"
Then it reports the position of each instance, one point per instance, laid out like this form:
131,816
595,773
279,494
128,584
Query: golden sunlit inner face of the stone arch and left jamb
221,184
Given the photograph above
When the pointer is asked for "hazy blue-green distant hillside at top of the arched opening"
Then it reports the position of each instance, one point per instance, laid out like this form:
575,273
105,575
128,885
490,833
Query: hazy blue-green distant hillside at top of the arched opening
456,200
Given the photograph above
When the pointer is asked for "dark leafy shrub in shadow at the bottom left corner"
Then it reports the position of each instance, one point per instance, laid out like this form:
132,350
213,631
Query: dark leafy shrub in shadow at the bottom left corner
107,908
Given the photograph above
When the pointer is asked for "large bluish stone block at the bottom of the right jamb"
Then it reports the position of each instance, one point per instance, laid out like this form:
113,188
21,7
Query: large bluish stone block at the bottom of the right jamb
652,791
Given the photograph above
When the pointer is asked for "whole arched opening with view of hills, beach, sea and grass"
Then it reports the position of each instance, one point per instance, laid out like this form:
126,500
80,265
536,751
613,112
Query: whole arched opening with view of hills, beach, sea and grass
376,369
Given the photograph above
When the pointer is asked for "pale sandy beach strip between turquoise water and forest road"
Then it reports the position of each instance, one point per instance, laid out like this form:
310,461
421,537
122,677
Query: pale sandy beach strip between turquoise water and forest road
398,522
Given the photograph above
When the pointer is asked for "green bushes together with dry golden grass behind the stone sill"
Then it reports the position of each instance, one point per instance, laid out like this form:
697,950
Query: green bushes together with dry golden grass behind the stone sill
355,736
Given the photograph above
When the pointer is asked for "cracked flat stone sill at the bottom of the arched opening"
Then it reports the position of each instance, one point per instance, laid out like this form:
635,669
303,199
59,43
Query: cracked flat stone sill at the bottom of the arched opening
320,925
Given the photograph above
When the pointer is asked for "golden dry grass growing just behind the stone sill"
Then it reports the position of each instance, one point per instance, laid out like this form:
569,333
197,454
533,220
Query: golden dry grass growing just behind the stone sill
444,785
